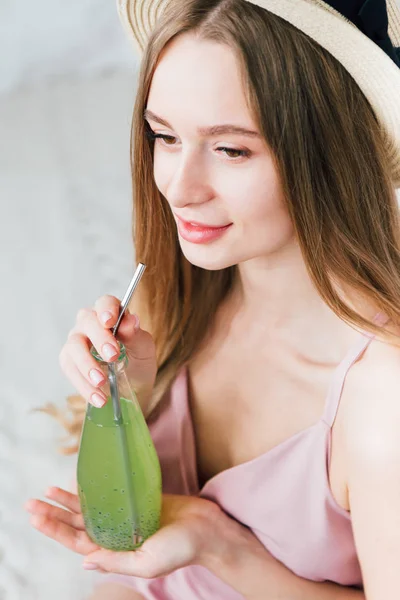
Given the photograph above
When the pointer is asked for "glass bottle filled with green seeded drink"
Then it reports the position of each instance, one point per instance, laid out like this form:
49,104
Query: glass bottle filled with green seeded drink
119,475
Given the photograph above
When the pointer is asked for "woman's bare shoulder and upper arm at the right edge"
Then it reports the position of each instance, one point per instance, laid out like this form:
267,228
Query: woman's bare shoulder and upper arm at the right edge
372,465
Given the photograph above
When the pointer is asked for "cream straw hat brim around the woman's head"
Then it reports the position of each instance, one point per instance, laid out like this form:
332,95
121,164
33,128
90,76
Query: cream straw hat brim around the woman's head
365,40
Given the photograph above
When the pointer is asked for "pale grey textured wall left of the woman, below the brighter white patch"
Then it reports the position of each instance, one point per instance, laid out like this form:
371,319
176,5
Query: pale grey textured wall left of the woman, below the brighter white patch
65,235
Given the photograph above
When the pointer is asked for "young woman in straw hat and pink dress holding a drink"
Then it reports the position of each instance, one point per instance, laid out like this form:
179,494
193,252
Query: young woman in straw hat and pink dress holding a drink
266,153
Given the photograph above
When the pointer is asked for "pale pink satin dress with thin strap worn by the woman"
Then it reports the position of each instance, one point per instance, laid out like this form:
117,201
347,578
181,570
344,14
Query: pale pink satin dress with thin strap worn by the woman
283,496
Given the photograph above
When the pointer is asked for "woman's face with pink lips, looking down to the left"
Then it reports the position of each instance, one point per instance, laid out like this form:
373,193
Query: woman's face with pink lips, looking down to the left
210,174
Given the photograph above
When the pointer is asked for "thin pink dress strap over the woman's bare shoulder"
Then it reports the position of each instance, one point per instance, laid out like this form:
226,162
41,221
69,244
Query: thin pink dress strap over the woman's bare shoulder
339,376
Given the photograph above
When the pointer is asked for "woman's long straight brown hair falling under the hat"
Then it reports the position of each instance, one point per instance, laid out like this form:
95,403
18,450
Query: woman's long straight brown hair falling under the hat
333,165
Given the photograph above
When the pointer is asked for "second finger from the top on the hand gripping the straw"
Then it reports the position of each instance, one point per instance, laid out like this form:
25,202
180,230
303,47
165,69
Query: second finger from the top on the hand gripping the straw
102,339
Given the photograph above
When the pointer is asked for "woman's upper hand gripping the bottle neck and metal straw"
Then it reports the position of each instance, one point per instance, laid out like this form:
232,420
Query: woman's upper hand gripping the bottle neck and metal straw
93,327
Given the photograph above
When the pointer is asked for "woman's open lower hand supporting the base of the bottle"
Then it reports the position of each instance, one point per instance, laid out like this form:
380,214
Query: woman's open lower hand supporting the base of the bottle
193,531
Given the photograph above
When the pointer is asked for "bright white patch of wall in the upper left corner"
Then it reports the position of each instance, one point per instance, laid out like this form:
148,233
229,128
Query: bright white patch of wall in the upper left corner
48,38
